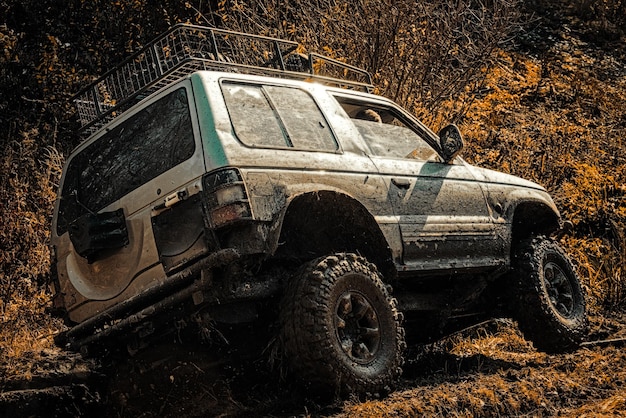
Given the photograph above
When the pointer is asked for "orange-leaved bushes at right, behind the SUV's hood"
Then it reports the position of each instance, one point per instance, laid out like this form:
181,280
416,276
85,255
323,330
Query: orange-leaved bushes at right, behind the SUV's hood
537,120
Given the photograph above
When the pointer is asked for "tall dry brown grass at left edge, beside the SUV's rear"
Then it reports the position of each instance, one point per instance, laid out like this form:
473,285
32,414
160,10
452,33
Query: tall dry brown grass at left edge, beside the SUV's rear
26,327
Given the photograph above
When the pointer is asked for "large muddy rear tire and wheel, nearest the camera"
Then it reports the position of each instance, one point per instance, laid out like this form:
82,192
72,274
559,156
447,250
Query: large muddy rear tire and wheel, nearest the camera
341,330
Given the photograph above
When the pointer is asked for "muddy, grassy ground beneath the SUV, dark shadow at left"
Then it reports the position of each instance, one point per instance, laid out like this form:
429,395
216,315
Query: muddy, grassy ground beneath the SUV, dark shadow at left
487,370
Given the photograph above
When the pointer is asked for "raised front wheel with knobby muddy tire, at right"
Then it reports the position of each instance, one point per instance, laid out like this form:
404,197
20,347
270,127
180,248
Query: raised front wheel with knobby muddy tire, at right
550,307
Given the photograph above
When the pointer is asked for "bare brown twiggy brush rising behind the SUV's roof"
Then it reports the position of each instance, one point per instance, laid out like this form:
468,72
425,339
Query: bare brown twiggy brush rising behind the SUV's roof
421,54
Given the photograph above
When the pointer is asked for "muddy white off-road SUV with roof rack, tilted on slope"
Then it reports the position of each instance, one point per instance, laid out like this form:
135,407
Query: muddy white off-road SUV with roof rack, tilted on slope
225,174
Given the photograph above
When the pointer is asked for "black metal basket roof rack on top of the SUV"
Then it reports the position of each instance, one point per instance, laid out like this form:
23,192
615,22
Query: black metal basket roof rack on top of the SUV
185,49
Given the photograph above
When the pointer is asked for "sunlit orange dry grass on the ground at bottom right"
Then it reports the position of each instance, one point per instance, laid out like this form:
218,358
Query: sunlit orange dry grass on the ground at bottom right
505,376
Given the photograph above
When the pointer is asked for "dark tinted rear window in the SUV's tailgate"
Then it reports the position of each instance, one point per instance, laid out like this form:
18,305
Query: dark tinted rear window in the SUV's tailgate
141,148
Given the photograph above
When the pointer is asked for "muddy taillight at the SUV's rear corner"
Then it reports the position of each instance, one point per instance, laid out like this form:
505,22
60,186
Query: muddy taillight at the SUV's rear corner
227,200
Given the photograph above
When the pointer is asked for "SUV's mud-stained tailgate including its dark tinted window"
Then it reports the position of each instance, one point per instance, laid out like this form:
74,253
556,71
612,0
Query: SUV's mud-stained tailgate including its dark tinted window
133,166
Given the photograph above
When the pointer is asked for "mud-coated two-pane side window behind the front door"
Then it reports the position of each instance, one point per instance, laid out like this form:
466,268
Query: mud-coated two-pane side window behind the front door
277,117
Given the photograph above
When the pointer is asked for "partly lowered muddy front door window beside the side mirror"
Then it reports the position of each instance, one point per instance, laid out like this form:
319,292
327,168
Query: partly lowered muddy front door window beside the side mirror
386,131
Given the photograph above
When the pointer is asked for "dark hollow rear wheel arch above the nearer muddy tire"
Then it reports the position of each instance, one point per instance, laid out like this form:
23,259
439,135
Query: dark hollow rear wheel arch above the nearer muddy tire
325,222
